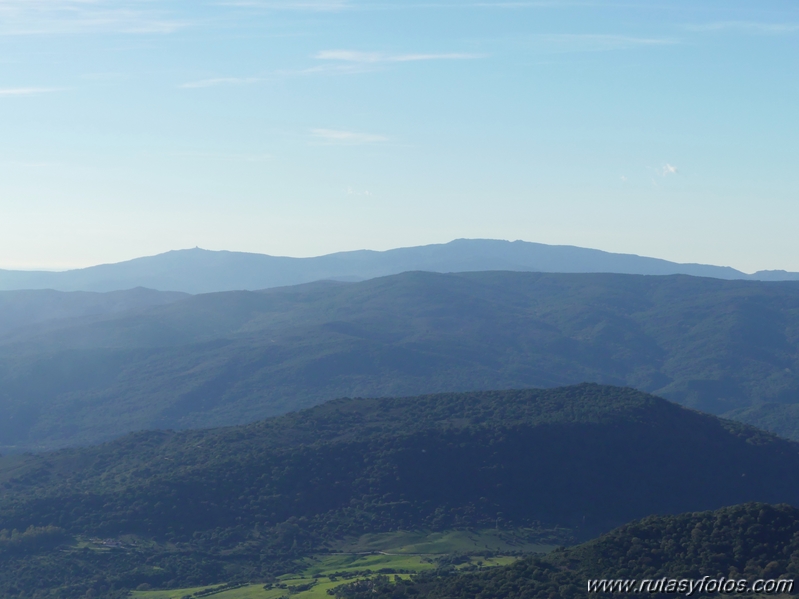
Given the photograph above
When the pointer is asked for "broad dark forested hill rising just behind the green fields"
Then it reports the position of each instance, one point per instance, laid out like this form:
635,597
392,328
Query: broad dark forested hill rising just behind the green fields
236,503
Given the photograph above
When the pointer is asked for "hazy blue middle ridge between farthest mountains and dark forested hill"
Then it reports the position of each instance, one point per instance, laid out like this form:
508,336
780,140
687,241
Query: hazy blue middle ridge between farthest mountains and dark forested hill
231,358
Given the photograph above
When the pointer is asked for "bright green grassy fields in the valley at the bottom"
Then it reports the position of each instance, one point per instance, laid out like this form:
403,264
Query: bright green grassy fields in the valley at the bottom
318,576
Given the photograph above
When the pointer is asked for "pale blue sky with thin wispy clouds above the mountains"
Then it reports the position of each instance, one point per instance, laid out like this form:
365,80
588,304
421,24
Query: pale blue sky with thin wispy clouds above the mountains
305,127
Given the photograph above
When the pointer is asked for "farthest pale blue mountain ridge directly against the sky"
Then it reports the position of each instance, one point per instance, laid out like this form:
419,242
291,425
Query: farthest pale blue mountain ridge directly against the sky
204,271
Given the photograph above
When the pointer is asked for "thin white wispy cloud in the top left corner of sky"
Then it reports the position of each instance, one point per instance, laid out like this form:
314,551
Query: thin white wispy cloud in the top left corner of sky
41,17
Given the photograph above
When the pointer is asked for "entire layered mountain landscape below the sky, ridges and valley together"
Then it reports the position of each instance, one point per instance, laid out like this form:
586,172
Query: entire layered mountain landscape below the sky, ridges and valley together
176,346
